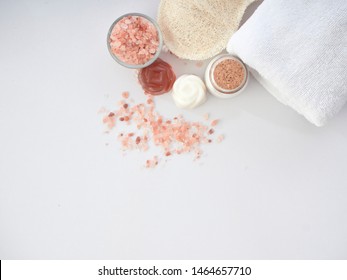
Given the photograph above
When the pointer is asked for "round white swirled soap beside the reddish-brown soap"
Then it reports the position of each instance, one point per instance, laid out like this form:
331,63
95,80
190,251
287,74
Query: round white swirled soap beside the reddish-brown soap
189,91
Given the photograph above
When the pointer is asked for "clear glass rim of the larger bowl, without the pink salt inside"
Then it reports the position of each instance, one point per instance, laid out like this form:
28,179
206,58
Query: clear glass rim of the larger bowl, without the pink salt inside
135,66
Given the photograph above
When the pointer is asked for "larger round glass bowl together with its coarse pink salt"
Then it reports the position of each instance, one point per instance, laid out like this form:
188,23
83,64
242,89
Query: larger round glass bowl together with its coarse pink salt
134,40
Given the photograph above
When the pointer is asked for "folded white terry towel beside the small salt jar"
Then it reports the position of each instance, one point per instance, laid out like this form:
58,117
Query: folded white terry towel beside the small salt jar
298,51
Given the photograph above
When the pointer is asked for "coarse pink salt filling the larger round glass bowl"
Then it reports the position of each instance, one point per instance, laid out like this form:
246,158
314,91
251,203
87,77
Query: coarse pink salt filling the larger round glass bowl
134,40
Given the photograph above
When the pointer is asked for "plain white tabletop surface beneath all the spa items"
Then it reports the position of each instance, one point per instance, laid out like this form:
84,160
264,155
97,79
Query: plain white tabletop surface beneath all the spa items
275,188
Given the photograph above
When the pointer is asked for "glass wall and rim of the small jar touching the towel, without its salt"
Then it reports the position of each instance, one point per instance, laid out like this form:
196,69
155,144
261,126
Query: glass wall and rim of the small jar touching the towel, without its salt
213,86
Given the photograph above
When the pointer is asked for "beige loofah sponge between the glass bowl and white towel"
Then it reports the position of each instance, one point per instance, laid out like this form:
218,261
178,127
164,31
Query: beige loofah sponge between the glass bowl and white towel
199,29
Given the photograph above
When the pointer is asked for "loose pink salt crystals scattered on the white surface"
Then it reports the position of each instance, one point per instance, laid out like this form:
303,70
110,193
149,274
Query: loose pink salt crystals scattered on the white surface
173,136
